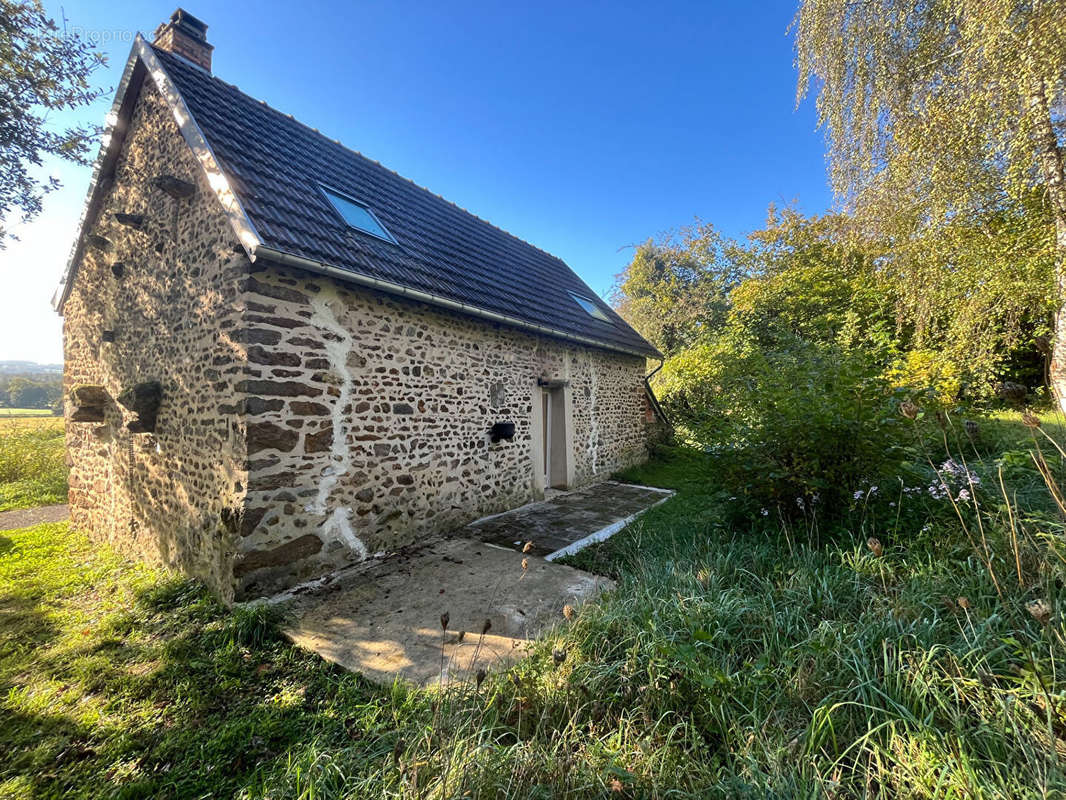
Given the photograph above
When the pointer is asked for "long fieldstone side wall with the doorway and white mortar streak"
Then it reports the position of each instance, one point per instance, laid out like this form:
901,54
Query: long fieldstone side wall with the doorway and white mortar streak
369,423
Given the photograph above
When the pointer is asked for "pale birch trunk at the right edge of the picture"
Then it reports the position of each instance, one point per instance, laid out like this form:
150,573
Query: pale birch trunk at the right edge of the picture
1051,158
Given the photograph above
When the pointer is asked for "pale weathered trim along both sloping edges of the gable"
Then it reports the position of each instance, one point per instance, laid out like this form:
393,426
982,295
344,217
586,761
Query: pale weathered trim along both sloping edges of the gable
217,180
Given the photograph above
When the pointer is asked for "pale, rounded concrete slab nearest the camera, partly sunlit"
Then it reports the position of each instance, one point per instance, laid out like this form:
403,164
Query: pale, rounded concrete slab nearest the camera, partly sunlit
384,619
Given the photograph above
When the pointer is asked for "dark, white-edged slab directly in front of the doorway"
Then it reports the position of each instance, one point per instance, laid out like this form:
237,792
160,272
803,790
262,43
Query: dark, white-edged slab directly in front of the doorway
567,522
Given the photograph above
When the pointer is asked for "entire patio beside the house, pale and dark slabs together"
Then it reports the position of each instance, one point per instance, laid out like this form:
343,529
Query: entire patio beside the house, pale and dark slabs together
383,618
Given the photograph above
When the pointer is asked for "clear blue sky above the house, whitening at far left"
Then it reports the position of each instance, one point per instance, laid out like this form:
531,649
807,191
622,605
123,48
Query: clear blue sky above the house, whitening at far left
584,129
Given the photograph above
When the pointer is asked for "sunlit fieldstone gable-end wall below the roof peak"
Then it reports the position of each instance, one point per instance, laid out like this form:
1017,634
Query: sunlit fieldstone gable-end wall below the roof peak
167,293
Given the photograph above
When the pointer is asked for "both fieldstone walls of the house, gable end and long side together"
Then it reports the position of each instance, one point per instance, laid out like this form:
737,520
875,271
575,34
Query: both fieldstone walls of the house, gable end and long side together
303,424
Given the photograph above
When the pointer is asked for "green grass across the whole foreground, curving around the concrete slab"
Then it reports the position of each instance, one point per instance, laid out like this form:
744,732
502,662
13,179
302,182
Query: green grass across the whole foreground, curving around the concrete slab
736,659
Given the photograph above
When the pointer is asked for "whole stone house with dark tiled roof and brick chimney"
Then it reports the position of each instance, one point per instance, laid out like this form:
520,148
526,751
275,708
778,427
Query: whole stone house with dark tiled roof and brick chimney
282,358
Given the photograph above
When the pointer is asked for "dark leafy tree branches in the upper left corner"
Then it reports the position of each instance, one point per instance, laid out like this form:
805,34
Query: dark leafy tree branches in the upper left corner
43,71
